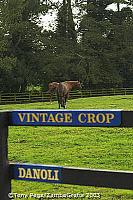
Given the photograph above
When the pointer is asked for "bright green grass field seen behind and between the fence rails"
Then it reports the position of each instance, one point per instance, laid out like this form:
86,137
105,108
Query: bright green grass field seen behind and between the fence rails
104,148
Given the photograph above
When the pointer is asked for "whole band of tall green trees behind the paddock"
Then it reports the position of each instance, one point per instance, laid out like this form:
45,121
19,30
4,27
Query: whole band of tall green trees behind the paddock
98,51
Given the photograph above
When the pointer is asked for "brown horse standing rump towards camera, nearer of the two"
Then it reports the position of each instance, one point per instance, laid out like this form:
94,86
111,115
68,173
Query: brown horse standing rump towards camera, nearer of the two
63,91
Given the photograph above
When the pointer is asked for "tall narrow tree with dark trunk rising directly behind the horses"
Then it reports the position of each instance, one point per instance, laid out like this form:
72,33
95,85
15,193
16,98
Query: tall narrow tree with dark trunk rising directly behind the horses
63,42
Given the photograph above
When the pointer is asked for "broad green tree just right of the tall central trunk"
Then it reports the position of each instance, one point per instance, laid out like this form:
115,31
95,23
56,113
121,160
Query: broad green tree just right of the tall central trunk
97,49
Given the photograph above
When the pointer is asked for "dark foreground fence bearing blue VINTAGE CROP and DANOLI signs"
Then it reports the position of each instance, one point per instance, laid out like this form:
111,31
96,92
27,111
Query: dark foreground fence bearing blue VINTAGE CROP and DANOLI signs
60,174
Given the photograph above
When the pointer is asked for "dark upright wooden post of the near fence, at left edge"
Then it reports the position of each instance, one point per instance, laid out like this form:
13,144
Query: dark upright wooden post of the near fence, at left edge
5,180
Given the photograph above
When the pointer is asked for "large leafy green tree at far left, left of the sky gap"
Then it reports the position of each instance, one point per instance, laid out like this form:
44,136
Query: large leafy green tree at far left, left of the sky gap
19,22
